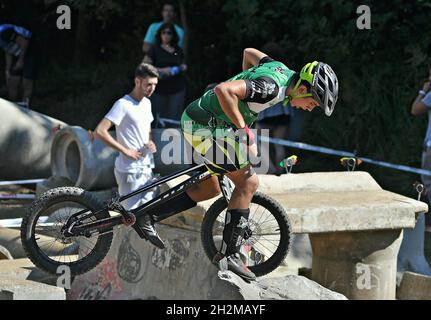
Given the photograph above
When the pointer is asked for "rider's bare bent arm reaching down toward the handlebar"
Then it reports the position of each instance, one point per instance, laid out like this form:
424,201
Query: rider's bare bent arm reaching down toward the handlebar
228,94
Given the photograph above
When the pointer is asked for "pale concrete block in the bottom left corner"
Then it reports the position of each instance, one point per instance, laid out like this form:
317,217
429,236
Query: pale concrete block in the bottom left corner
18,289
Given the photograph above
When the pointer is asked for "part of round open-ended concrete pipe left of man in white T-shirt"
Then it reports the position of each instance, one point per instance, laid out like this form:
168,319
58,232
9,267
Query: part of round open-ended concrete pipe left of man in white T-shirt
88,163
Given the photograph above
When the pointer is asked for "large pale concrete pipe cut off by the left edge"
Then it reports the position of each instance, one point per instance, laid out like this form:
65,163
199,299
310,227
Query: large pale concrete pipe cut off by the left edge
25,142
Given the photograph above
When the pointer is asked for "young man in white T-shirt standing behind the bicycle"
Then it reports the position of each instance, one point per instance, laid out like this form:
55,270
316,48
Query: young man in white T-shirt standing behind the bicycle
132,118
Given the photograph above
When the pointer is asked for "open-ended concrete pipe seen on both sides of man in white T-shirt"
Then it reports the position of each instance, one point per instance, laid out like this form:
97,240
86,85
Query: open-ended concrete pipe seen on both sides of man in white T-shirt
90,164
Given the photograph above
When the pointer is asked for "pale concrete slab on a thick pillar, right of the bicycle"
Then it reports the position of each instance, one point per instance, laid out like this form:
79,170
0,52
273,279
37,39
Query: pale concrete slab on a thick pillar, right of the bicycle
355,228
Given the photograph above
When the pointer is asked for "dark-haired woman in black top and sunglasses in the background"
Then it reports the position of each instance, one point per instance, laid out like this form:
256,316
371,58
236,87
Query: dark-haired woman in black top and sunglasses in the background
168,58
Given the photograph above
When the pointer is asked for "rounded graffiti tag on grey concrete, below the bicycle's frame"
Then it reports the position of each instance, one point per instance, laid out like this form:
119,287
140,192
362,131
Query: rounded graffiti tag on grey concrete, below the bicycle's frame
129,261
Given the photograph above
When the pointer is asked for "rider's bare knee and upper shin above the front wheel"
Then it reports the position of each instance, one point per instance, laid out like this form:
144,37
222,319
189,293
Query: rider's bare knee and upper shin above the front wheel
246,183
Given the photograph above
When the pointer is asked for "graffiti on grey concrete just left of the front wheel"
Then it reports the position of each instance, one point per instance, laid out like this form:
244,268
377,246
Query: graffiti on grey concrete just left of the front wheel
173,256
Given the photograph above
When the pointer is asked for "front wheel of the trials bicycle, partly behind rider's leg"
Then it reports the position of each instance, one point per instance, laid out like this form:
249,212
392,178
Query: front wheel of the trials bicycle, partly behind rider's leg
267,238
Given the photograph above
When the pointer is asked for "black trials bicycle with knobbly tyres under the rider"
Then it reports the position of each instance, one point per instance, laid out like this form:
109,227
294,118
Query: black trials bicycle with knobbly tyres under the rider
70,226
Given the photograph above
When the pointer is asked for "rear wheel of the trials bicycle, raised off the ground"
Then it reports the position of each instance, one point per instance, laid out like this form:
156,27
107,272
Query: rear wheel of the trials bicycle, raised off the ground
44,242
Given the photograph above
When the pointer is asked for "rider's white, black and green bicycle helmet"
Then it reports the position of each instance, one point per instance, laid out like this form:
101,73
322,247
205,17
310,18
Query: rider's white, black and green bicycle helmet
323,83
